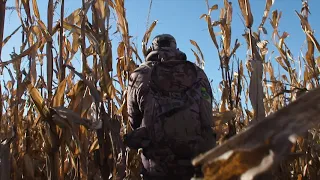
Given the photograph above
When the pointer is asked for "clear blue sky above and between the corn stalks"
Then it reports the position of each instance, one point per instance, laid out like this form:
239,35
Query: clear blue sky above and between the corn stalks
181,18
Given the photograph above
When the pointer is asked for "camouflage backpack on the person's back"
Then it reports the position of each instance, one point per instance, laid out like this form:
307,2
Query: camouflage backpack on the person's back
176,93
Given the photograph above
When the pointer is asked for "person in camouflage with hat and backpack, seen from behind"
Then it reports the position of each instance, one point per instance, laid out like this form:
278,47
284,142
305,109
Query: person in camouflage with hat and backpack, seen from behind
169,105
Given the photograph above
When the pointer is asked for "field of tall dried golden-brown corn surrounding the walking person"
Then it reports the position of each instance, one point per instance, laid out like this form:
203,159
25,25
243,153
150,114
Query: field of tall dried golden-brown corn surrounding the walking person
59,122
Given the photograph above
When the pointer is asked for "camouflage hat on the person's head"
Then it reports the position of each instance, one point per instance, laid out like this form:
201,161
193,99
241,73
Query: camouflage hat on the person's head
163,40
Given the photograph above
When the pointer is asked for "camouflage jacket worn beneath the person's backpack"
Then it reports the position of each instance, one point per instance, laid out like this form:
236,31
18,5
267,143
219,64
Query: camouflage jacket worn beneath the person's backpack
139,102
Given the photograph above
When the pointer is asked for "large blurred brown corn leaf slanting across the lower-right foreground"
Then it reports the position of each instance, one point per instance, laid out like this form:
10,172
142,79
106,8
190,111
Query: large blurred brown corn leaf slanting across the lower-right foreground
264,144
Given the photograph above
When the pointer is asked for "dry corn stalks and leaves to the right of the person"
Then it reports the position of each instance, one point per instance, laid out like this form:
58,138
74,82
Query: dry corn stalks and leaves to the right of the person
279,137
